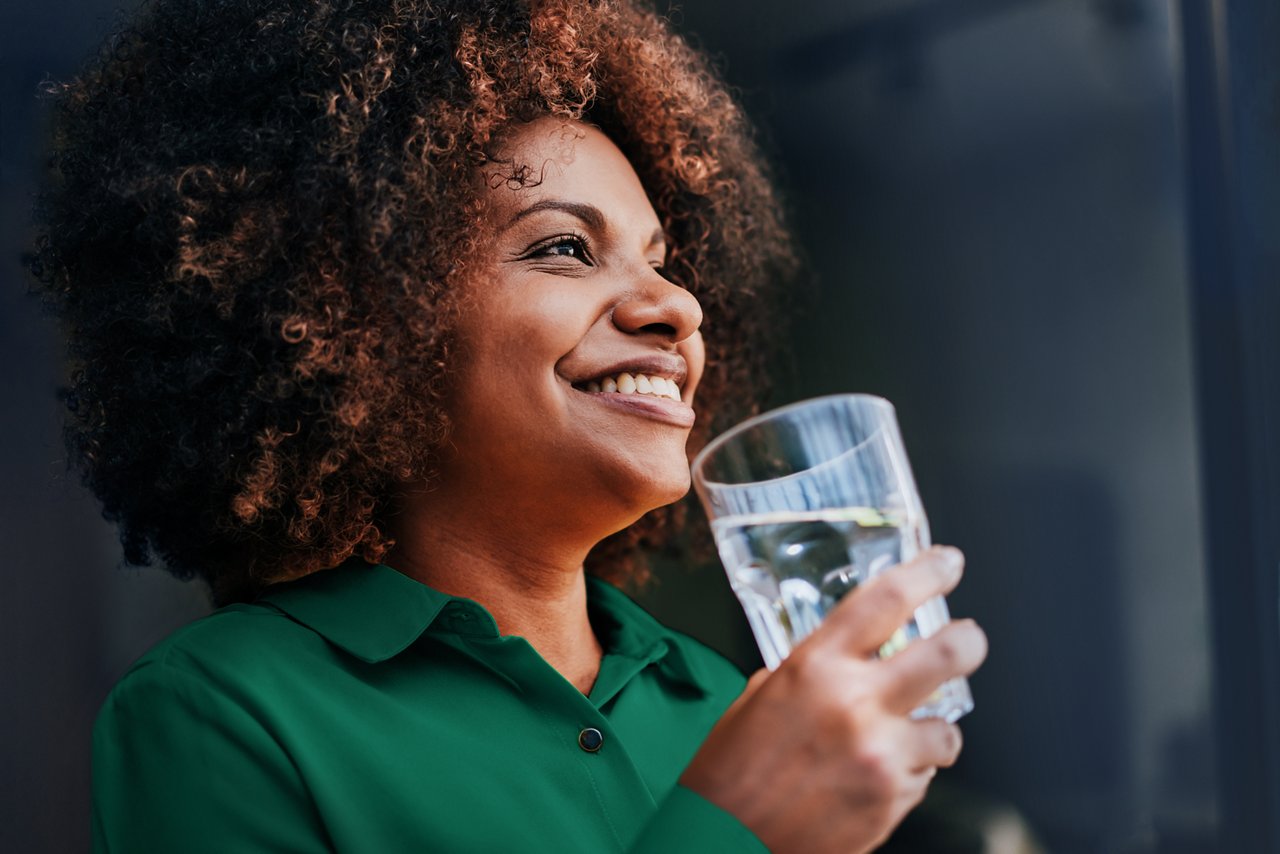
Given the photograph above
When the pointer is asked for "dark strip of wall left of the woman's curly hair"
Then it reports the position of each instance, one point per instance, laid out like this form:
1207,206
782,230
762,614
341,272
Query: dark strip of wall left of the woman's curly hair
70,620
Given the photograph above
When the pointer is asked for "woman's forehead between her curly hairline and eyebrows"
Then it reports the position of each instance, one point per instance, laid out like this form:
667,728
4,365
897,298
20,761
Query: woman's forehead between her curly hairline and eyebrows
568,162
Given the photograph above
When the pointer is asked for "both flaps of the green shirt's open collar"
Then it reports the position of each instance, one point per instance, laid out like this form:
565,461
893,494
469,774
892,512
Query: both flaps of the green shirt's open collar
374,613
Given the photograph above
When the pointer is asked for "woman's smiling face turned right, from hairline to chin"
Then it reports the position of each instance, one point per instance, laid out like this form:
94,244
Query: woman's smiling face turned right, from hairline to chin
580,360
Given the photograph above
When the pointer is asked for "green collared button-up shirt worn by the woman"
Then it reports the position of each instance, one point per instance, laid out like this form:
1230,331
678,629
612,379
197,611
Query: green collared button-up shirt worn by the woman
360,711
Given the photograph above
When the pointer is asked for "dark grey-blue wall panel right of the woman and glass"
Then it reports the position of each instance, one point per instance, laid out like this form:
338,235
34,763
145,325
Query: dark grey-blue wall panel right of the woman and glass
991,197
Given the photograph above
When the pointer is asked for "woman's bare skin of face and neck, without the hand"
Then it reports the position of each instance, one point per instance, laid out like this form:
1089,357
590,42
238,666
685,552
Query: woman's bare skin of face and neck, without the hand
540,472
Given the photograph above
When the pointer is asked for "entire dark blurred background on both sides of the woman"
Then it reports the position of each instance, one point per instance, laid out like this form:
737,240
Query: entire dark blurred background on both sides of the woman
994,199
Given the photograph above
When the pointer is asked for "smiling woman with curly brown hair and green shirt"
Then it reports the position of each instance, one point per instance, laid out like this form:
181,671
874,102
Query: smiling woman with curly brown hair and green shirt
387,319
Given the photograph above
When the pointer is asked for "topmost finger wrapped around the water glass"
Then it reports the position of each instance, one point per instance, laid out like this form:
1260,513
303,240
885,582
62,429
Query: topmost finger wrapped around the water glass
871,614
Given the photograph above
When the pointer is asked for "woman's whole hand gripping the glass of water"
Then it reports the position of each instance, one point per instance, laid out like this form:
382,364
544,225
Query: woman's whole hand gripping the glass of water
822,756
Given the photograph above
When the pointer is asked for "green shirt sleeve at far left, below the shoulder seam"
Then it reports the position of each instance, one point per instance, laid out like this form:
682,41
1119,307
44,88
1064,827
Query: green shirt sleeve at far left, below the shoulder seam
179,766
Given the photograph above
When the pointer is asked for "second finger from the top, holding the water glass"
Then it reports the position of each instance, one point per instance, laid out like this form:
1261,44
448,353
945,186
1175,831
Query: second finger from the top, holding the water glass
916,673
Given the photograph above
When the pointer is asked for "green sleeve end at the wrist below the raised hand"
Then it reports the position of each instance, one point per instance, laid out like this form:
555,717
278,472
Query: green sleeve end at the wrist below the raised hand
689,824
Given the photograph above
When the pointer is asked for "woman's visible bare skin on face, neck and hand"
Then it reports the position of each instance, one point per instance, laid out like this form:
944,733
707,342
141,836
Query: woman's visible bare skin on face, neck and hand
820,756
